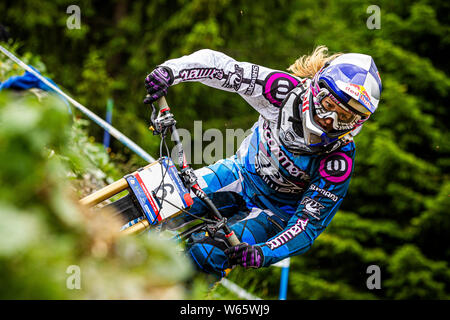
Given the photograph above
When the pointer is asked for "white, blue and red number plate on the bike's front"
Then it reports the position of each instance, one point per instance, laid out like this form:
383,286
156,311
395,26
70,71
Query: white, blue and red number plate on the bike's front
160,179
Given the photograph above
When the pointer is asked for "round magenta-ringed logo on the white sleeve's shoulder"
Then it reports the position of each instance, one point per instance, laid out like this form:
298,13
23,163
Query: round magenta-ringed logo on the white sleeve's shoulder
277,85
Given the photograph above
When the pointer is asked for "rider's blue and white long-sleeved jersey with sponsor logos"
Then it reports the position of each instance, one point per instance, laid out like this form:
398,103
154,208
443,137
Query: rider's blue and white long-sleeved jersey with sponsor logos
303,190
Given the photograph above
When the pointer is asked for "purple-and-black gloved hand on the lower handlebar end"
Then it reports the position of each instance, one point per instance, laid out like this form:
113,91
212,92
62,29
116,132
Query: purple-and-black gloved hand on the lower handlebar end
245,255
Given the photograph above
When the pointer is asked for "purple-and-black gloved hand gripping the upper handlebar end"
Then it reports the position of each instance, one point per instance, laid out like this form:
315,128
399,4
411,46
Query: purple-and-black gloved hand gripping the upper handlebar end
157,83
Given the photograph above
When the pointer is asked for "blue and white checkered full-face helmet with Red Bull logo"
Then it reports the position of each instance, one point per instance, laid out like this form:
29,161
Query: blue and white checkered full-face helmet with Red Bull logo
352,81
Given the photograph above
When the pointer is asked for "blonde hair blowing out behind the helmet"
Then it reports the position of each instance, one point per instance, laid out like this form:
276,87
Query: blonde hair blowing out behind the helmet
308,65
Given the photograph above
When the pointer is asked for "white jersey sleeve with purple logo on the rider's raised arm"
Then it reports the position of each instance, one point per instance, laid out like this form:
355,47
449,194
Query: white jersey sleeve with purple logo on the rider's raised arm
263,88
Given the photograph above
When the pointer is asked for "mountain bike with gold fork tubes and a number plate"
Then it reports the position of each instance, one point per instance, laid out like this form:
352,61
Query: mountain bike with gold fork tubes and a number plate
160,191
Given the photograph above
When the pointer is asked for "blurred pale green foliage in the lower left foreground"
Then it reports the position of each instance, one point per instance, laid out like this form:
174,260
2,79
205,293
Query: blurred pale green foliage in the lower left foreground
44,231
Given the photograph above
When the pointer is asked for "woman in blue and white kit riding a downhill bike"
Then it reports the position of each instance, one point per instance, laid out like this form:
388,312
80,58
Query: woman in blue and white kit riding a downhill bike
290,175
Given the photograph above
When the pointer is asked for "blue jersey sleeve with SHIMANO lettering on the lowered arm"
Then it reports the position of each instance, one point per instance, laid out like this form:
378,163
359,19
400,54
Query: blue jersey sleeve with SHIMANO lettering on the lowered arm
328,187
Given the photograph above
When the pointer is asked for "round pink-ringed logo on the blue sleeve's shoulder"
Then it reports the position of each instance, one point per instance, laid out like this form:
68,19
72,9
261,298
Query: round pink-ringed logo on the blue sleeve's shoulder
336,168
